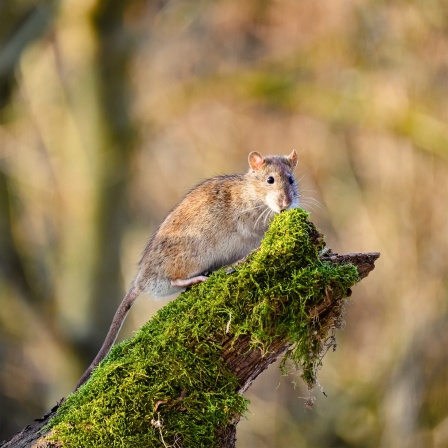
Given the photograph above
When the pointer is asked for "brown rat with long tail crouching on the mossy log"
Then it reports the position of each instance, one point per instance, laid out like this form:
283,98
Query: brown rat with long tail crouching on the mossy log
217,223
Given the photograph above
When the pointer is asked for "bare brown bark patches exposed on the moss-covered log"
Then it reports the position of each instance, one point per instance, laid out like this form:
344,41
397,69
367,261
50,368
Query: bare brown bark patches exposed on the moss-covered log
245,363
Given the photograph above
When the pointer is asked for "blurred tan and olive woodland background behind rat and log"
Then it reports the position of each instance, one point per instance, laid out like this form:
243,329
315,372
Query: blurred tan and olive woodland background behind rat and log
111,111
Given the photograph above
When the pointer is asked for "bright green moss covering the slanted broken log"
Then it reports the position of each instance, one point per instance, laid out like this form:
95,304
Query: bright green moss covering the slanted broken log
172,369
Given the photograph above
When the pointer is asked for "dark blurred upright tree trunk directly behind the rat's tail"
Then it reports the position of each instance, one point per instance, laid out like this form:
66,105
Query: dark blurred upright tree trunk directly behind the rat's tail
114,56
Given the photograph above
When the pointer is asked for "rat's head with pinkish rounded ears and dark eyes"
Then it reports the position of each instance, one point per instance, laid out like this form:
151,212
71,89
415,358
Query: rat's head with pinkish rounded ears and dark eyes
274,180
